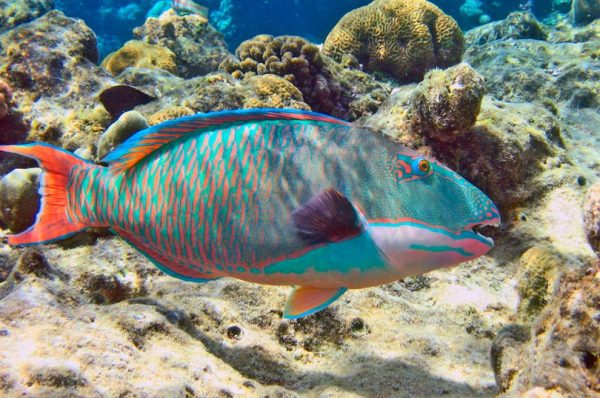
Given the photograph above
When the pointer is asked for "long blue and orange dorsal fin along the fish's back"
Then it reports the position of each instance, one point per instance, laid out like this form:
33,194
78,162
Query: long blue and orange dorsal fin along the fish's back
149,140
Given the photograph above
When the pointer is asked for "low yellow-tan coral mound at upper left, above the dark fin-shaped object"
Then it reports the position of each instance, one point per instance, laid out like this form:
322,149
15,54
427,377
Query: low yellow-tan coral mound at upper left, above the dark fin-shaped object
141,55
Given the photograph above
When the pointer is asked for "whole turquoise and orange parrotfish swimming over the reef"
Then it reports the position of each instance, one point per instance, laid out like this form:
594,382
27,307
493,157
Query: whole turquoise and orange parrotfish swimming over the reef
270,196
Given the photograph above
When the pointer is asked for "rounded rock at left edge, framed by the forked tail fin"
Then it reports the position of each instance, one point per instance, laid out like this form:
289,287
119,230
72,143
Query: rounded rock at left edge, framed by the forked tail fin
19,198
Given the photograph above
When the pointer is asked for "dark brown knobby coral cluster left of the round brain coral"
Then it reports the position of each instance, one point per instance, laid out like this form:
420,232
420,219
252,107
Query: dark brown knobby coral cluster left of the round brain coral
297,61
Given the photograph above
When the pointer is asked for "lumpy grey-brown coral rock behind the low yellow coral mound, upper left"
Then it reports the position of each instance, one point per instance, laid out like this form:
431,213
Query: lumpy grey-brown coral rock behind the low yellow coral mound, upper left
198,47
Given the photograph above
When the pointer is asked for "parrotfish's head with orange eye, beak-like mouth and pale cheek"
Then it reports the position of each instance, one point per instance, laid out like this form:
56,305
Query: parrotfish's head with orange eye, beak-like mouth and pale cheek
437,216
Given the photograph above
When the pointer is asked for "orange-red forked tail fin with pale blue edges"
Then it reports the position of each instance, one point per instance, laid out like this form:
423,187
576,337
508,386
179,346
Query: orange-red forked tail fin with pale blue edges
52,222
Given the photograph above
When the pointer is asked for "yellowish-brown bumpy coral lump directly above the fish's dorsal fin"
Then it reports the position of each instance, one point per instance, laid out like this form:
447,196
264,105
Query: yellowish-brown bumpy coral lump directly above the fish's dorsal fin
271,91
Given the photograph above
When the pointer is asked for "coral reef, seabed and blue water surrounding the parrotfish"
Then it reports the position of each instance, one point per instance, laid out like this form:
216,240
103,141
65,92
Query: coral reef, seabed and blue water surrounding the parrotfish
506,93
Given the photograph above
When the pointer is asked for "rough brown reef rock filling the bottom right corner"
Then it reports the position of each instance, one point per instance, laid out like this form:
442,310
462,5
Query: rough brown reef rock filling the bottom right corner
562,355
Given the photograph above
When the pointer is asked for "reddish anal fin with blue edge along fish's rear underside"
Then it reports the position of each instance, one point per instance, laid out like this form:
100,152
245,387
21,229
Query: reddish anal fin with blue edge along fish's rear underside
164,264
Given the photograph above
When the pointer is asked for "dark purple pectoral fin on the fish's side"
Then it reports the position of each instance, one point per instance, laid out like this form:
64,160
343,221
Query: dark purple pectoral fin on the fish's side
327,217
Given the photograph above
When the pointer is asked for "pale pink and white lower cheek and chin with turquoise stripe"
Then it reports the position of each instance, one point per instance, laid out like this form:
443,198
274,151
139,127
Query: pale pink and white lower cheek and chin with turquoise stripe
414,248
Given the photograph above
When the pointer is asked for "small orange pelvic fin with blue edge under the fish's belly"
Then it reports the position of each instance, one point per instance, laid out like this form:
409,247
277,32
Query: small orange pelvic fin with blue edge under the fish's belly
306,300
